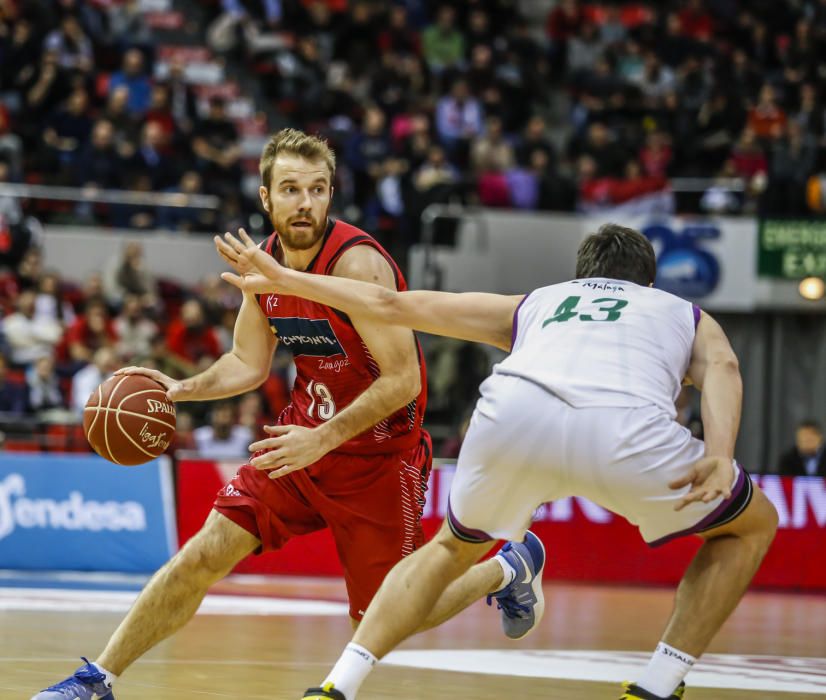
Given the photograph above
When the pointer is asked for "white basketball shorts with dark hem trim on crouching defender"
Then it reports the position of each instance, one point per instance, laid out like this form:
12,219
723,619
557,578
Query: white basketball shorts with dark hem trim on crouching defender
525,447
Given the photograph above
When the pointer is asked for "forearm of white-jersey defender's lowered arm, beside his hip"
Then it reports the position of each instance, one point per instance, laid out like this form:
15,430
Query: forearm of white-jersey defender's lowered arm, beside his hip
720,407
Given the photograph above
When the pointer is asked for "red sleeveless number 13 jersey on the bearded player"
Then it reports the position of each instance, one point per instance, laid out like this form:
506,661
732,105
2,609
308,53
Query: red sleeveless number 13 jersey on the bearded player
334,365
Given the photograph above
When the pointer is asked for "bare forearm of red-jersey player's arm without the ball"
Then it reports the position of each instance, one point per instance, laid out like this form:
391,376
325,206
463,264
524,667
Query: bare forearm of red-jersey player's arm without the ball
383,397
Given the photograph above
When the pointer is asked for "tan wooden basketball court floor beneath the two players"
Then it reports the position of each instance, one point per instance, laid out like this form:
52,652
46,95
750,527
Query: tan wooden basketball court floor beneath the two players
273,657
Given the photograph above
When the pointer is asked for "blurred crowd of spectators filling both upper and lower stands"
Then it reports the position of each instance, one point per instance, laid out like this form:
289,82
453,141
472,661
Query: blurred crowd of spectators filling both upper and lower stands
528,104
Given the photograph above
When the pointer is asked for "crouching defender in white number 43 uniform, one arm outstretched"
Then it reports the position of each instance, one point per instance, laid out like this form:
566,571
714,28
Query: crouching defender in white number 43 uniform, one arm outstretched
582,406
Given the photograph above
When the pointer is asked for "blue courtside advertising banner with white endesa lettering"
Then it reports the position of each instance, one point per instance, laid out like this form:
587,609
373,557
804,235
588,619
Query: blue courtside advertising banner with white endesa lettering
82,513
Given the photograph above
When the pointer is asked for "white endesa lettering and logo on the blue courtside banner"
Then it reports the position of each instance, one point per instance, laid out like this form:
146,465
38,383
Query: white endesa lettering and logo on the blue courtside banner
73,513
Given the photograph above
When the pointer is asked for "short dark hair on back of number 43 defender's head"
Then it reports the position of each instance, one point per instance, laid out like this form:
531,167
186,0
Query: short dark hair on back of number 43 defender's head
618,253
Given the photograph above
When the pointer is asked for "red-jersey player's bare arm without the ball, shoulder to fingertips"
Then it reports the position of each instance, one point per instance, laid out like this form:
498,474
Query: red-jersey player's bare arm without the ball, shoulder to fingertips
394,350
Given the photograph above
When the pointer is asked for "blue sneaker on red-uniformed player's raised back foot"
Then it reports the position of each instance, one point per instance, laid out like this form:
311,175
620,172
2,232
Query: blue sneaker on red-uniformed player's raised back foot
522,602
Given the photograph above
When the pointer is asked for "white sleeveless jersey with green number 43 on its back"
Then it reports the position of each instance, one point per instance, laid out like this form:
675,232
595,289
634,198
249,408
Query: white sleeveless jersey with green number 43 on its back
601,342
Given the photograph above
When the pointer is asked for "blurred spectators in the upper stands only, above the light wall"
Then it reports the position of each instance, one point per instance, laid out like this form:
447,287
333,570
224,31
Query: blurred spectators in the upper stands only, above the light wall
532,104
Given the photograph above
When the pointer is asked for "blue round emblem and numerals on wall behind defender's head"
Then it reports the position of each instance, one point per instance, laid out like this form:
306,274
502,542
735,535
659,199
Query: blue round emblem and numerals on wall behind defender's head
684,268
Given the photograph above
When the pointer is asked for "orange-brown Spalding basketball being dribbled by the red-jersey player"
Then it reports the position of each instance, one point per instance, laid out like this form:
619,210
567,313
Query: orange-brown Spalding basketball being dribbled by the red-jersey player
128,419
